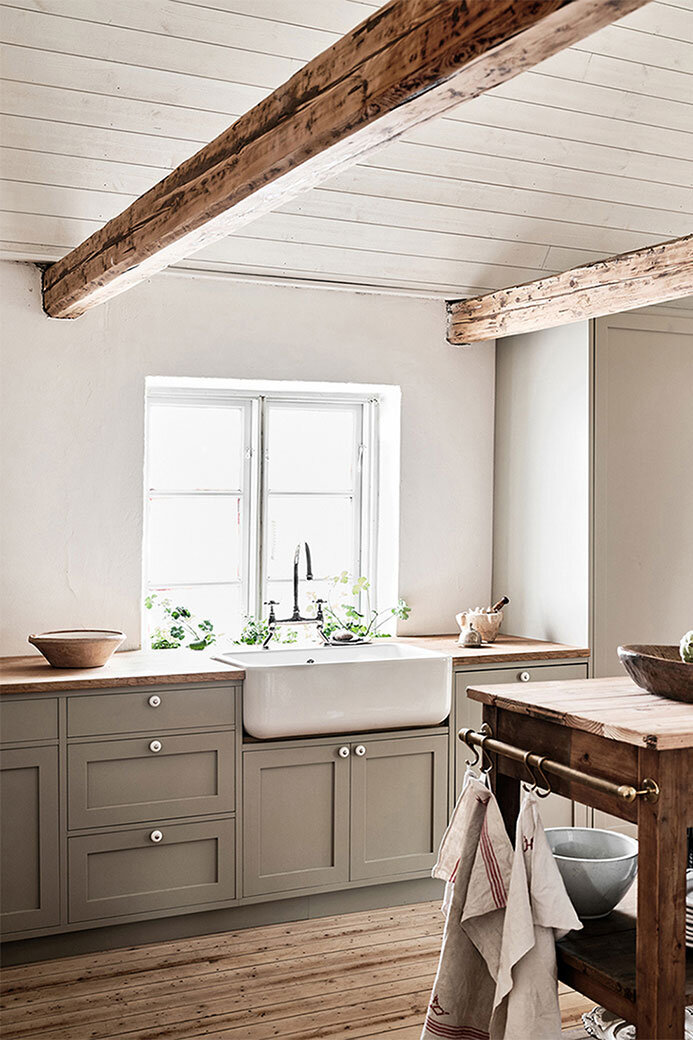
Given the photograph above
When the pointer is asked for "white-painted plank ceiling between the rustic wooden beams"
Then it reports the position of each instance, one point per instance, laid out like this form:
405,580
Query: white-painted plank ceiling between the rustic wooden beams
589,154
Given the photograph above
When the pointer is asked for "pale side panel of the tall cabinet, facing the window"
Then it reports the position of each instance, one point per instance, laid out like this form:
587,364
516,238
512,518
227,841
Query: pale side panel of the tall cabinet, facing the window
543,474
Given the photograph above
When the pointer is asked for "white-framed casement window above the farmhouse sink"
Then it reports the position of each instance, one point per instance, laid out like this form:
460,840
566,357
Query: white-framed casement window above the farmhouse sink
237,477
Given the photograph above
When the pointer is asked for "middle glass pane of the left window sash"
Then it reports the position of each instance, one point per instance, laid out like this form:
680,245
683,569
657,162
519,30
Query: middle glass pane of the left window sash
194,539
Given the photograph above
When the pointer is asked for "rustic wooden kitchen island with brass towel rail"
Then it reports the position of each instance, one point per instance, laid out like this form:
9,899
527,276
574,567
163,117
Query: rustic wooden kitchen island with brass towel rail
637,967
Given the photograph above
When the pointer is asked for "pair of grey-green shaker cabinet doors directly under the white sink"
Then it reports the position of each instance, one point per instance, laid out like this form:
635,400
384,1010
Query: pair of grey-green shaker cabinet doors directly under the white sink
343,812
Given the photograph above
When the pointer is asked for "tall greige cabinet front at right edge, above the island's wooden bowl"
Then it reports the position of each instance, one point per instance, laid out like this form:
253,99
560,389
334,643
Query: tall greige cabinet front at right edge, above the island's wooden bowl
644,490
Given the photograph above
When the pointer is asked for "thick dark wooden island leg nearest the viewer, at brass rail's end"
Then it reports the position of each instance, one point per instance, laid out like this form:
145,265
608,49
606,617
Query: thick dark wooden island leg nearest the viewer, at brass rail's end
661,930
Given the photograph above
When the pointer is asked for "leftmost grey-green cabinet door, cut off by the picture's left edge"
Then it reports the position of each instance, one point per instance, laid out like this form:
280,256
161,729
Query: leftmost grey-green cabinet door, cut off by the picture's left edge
30,873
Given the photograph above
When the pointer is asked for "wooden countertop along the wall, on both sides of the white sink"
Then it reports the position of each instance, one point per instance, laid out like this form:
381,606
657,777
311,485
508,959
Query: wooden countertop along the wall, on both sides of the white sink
140,668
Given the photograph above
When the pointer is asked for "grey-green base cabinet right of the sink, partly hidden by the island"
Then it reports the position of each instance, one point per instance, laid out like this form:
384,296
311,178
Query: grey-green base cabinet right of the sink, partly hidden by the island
556,812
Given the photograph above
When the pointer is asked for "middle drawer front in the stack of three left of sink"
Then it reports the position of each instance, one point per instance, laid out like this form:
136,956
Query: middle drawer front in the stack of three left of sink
126,782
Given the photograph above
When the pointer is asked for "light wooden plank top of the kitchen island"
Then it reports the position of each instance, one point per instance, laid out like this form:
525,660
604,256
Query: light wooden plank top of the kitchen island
615,709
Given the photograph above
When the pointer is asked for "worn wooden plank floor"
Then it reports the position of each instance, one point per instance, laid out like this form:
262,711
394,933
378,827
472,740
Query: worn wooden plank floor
364,975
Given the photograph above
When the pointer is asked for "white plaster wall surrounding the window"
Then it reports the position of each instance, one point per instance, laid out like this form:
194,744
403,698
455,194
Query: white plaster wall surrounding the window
71,448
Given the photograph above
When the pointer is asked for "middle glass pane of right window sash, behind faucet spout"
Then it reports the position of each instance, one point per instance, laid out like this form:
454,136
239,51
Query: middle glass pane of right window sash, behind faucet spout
325,522
